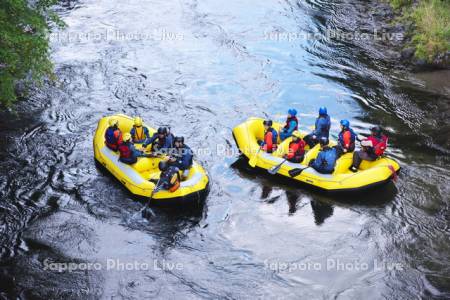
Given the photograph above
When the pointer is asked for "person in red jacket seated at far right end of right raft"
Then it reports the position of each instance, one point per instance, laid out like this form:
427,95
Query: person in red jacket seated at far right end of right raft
372,148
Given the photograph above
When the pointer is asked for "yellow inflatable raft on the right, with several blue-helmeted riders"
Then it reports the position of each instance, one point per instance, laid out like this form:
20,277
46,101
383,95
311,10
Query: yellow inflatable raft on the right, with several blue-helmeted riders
373,173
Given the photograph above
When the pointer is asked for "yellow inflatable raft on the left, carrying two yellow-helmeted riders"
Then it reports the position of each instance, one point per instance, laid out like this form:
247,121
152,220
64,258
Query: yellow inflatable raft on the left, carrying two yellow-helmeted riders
140,178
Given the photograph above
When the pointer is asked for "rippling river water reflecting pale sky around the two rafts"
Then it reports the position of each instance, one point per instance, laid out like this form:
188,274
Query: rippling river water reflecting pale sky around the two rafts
203,67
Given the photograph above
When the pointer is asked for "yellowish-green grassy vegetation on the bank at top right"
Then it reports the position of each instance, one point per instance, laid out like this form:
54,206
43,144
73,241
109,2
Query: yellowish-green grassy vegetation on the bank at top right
431,19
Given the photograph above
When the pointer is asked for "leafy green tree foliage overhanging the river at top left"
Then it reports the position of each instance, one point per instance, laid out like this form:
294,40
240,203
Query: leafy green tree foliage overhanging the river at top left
24,44
